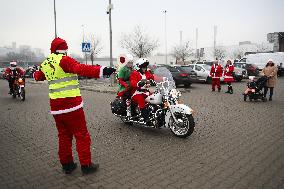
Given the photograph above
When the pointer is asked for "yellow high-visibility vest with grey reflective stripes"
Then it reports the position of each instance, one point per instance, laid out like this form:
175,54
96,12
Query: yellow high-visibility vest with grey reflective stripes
61,84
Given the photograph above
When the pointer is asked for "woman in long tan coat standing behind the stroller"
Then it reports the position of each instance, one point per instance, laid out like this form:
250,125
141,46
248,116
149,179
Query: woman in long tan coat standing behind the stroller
270,71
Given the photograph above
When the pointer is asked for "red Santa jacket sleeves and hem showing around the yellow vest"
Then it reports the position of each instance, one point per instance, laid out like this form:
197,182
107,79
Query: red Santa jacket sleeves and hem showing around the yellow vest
70,65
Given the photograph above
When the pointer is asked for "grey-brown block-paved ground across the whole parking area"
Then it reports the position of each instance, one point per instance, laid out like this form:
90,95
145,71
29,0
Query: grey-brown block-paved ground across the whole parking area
236,144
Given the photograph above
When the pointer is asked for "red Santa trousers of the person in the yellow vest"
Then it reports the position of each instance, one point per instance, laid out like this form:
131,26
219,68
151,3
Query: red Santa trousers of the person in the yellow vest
69,125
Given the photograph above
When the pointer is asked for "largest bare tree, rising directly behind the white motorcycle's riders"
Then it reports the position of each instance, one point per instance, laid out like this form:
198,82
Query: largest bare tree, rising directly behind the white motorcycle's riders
138,43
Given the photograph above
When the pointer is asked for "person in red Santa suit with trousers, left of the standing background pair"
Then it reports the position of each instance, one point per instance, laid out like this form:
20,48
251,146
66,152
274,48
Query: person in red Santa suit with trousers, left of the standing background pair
215,73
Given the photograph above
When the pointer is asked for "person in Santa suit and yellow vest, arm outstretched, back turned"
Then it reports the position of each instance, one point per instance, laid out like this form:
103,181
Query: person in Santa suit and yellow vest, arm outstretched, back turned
61,72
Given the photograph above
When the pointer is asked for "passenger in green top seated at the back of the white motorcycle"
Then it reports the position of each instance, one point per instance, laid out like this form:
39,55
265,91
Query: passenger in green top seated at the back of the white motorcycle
124,87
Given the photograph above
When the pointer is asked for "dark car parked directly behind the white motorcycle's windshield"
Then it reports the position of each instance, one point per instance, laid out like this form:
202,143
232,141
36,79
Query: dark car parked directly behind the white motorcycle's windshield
182,74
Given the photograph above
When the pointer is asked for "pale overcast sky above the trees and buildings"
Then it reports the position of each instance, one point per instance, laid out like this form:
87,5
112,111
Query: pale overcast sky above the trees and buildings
31,22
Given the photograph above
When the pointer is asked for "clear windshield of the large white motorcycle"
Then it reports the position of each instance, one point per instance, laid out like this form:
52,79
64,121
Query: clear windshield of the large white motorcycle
164,79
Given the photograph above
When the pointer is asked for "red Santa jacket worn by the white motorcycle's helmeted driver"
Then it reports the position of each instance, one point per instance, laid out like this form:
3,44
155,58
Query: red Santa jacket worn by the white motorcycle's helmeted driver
136,76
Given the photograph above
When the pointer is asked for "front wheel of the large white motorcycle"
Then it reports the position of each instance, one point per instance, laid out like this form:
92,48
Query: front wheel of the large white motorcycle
184,128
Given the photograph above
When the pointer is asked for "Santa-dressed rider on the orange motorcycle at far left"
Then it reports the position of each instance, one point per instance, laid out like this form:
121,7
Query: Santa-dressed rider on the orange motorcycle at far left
11,73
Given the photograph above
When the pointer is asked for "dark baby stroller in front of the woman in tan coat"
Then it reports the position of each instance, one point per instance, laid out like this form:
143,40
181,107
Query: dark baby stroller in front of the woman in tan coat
254,89
